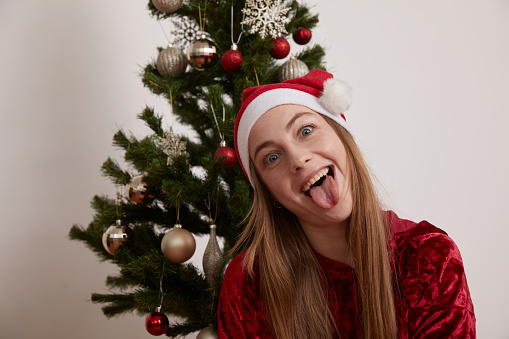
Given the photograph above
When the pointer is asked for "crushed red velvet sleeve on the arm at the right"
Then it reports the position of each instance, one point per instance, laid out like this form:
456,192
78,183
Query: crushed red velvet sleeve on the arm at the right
433,282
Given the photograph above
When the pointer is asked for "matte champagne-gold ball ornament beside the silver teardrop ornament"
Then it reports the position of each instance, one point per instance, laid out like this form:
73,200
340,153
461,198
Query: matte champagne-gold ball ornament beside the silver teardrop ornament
178,245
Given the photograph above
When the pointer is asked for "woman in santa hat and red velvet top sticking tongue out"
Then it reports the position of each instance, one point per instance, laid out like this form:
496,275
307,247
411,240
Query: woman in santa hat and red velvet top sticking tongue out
324,260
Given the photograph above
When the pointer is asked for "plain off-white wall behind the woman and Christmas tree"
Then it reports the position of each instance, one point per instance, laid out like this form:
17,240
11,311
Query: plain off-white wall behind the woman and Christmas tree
430,111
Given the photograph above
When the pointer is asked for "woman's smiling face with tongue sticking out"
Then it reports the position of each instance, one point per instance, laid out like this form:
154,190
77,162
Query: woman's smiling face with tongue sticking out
303,163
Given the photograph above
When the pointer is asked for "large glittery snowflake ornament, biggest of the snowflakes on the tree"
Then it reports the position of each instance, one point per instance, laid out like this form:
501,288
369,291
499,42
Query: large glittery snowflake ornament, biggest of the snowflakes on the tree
267,17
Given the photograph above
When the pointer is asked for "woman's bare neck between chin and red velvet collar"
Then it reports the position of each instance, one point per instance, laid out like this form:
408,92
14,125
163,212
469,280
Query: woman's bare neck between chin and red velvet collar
330,240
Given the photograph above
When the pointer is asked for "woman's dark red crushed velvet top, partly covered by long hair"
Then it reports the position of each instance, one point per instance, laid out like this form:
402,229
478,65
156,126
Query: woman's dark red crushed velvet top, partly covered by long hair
433,300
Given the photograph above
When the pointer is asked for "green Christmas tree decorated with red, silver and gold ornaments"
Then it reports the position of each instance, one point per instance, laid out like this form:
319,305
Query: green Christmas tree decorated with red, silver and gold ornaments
176,187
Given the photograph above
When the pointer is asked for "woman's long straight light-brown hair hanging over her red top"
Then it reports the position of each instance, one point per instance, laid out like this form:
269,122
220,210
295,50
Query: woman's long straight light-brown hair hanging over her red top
289,272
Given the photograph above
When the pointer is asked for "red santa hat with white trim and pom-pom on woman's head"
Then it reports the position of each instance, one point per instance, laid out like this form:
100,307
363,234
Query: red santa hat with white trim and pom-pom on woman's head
317,90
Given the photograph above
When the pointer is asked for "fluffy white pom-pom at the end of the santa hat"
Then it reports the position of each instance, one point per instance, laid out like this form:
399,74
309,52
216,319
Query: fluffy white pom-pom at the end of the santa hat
336,96
